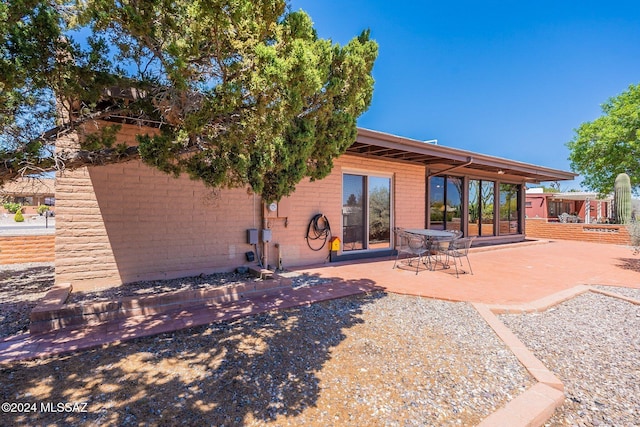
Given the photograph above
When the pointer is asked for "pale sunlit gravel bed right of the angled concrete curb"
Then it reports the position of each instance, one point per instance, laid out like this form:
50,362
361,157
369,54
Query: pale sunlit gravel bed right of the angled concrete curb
593,344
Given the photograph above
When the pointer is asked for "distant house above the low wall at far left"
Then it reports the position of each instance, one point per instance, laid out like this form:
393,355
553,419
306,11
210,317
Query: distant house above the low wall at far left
29,192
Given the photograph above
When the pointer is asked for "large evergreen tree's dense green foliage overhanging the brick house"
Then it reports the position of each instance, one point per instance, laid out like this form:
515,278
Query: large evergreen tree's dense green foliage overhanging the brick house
244,92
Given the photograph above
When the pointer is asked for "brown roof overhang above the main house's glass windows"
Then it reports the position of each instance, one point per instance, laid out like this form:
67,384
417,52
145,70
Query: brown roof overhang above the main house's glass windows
391,147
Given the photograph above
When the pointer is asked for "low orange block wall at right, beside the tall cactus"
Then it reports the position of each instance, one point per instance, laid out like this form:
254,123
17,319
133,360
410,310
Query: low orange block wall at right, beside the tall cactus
596,233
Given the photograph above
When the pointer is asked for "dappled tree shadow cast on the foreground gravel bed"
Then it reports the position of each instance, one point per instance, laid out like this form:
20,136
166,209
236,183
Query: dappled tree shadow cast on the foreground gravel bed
258,368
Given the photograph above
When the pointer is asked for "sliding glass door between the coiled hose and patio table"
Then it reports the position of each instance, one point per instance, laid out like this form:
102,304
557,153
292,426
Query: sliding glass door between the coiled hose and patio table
366,212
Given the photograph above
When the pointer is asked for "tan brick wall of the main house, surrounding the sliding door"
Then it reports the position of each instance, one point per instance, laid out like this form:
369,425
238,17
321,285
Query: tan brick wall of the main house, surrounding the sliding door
128,222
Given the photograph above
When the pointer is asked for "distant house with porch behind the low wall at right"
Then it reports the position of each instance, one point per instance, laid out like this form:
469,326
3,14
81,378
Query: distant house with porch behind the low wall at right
578,206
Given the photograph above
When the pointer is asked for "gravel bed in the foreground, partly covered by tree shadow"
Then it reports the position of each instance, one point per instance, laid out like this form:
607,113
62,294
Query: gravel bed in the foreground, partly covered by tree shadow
368,360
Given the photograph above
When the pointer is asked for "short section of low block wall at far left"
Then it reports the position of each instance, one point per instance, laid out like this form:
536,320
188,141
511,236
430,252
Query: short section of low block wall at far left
21,249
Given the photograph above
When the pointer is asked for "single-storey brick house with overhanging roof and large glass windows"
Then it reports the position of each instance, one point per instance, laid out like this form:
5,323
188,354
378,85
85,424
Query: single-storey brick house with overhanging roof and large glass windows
127,222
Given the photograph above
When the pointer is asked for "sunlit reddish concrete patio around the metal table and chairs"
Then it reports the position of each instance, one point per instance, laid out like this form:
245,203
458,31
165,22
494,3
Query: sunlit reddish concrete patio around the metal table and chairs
503,275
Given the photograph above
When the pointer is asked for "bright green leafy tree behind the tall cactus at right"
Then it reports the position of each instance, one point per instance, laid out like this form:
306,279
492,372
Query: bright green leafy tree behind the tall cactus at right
609,145
